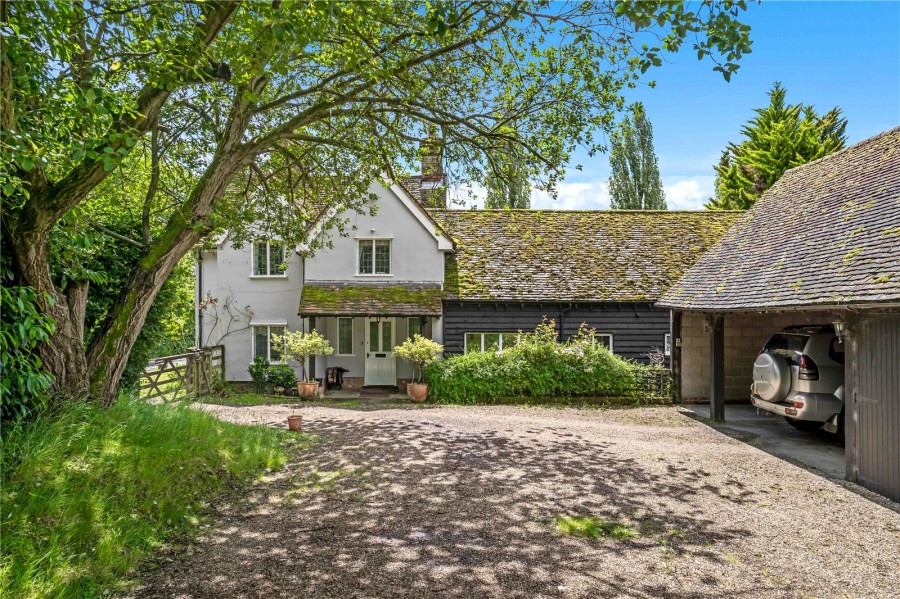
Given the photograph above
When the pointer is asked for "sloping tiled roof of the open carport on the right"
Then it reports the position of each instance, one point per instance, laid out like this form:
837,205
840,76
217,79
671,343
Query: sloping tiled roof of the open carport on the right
827,233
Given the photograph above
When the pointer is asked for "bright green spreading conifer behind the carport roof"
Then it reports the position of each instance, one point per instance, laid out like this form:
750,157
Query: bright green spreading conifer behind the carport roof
780,137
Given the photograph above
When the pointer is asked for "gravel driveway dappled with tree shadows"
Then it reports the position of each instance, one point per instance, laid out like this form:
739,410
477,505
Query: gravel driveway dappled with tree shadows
461,501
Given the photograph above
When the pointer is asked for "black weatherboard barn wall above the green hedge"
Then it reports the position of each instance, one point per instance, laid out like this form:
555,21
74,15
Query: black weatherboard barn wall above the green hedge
636,328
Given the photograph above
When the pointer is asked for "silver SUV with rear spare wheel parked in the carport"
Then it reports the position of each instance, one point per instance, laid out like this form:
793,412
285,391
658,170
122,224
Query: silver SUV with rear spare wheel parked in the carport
799,374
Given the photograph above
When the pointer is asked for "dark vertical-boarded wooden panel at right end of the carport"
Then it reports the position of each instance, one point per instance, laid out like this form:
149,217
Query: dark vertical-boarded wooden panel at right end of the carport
877,403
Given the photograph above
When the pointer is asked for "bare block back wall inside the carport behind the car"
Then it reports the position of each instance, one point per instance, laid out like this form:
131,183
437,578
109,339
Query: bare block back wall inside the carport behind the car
745,335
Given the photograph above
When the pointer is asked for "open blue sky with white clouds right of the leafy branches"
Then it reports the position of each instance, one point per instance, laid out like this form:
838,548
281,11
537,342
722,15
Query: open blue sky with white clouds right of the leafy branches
827,54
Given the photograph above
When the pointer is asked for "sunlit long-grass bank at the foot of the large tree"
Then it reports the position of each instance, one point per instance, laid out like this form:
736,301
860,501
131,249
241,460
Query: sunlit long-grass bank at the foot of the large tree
87,493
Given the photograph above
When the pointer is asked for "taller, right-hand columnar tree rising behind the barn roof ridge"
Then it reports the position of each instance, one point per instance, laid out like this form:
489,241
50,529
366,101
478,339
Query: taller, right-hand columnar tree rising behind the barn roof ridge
635,183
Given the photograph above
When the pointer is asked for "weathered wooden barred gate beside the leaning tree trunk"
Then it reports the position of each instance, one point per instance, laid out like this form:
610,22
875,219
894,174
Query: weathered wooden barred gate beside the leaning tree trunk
183,376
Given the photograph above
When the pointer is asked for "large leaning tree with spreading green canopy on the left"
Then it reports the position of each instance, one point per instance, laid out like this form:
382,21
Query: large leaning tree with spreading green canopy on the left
232,114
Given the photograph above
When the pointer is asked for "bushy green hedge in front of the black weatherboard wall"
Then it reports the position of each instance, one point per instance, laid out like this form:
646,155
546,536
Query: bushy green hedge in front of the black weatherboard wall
541,367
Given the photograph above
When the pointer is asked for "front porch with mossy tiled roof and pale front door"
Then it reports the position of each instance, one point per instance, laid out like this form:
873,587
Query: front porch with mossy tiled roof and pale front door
364,322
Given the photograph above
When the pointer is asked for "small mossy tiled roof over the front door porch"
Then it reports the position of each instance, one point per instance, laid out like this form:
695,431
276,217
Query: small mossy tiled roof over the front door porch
341,298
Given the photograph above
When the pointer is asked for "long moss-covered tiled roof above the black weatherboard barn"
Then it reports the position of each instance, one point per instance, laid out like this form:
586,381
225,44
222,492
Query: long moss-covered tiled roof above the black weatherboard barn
598,256
